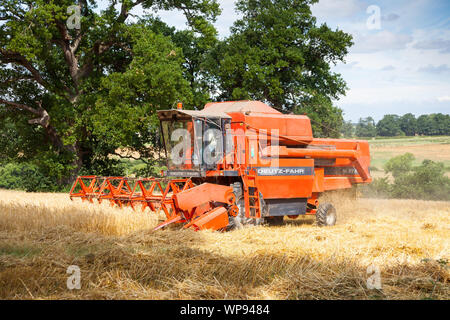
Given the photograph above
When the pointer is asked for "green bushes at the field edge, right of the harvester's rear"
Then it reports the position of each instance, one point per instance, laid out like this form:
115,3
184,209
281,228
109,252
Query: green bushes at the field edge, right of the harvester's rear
425,182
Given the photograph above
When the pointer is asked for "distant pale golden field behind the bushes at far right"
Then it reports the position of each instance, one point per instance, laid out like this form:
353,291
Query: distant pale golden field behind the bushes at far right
433,148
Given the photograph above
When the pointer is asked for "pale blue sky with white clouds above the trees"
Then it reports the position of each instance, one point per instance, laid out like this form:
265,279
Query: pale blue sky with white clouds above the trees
400,60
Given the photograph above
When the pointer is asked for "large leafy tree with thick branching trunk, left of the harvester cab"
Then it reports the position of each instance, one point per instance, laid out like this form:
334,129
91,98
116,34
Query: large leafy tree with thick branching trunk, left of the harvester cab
69,98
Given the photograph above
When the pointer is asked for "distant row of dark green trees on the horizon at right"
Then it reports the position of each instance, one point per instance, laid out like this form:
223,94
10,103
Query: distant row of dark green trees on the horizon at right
392,125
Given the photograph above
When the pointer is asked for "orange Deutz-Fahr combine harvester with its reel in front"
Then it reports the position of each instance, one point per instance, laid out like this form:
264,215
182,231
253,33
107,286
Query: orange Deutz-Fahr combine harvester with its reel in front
238,163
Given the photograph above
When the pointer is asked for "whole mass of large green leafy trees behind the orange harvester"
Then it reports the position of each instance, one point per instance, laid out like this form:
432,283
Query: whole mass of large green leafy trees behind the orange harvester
69,98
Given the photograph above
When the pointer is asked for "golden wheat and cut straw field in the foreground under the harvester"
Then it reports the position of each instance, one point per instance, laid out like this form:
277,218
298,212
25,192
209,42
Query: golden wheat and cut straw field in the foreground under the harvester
121,258
